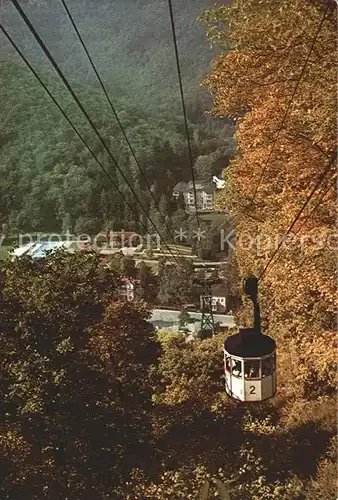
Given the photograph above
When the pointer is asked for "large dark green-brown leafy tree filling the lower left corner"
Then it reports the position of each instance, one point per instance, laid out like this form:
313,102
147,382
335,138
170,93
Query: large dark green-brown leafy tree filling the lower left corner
75,387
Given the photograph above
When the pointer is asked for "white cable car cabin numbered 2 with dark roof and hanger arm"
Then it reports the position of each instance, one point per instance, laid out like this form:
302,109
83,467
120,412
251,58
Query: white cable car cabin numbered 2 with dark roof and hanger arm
250,358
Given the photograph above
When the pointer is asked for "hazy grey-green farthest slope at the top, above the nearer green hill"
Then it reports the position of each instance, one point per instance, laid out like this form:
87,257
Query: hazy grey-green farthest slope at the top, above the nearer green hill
131,41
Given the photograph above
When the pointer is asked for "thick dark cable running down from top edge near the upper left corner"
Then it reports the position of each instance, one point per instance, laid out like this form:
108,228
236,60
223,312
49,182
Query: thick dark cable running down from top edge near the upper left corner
69,88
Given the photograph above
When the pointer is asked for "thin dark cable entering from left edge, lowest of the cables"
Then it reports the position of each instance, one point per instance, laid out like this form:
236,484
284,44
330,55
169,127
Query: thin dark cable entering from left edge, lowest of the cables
68,120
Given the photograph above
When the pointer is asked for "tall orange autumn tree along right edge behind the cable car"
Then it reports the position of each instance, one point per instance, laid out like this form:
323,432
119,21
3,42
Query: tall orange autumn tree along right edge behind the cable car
277,79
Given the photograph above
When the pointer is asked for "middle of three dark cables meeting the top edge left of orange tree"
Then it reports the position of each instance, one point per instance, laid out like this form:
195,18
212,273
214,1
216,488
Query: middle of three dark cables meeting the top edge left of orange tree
115,114
